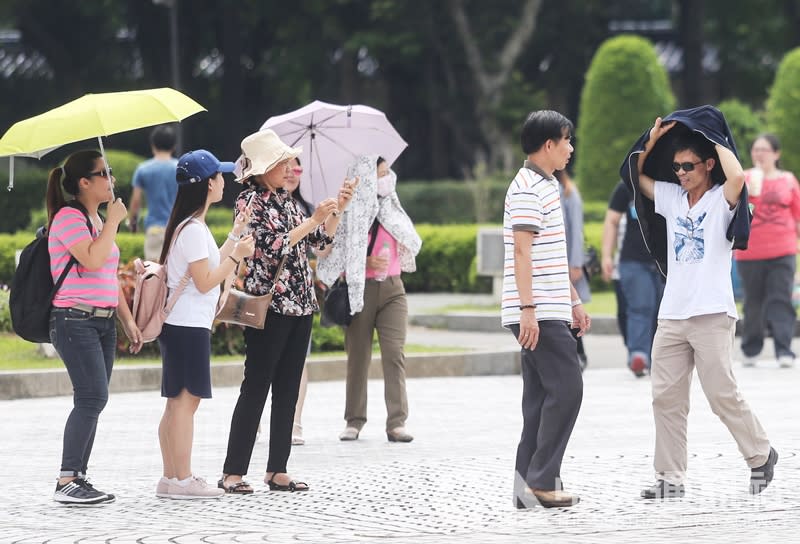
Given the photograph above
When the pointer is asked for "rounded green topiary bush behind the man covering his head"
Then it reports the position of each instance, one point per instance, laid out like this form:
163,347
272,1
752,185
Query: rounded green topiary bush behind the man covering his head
626,89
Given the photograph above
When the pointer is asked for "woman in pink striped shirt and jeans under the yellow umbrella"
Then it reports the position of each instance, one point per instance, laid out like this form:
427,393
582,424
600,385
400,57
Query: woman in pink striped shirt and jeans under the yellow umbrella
82,325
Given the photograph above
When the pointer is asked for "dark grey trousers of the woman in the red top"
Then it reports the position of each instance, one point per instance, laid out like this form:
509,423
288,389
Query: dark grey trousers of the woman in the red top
768,286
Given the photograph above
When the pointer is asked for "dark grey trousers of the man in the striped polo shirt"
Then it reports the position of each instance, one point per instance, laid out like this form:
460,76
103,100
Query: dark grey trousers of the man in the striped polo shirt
552,391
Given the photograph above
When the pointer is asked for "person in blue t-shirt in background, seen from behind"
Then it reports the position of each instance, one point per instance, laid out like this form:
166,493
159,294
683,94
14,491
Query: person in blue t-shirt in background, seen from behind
155,179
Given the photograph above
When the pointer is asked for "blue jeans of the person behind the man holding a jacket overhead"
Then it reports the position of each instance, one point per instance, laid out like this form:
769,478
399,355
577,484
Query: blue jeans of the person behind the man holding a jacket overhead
643,286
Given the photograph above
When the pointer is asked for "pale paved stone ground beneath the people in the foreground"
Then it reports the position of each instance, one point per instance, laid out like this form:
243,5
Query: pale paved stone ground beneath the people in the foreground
452,484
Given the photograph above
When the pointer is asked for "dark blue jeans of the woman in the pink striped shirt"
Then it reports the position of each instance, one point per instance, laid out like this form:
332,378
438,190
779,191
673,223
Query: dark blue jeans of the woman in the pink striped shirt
86,344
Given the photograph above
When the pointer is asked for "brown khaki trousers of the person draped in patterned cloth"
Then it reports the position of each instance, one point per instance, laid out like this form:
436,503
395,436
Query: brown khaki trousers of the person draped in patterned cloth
385,309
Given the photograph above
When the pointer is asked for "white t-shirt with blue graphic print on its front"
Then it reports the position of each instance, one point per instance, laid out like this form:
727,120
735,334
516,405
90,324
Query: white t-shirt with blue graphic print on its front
698,253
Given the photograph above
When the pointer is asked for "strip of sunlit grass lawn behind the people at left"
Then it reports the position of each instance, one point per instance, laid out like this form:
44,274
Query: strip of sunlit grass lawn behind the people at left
19,354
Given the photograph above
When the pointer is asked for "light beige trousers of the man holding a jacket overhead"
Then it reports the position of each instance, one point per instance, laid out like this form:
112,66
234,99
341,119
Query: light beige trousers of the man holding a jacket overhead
705,342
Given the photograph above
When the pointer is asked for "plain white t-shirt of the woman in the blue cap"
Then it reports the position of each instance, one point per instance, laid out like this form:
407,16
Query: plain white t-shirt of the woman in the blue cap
193,309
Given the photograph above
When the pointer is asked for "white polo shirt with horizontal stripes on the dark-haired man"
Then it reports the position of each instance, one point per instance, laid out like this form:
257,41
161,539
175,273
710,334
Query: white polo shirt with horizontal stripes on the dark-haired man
533,204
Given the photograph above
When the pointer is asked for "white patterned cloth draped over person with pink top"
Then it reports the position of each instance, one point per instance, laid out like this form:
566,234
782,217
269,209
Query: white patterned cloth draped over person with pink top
349,253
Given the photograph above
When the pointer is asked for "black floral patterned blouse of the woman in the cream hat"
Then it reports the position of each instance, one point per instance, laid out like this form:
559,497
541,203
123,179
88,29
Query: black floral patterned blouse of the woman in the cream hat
274,215
